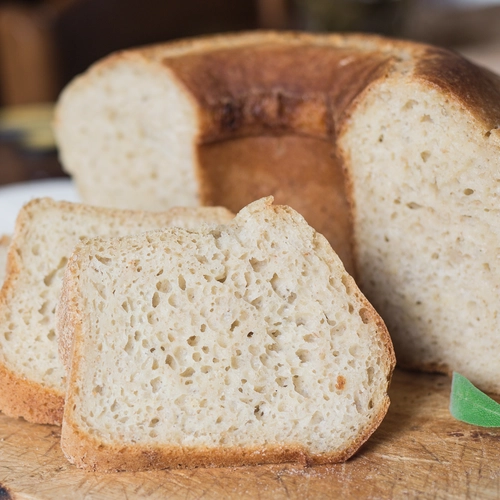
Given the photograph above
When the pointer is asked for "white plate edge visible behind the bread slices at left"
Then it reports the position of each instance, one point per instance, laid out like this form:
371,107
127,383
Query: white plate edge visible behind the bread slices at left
14,196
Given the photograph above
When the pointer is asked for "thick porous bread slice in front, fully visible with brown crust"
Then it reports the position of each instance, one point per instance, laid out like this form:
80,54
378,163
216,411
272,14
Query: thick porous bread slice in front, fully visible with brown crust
243,344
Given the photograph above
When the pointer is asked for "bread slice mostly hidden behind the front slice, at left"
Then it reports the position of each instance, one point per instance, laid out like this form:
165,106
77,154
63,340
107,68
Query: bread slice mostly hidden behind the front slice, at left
31,374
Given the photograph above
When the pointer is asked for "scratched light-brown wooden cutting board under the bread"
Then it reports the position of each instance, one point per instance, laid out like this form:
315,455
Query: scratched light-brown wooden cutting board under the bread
419,451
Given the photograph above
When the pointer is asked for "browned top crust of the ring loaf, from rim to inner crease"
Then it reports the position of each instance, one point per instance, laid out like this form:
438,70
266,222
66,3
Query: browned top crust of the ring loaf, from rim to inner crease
274,83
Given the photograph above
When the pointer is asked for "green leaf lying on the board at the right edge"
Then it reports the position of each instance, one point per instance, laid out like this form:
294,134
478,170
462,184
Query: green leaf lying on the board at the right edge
470,405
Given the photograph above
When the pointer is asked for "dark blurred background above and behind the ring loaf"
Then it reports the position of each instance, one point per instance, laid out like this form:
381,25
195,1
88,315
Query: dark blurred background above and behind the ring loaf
45,43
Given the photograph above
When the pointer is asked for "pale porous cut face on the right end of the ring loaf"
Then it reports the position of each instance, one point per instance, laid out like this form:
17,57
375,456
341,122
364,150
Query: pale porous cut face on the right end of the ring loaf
426,189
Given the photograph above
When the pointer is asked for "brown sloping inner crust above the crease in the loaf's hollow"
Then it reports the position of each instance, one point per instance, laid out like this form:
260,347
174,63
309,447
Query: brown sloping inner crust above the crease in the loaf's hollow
275,89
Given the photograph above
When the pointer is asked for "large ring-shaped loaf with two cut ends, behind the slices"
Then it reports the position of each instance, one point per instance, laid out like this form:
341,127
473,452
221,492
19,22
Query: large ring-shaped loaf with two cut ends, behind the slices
228,119
